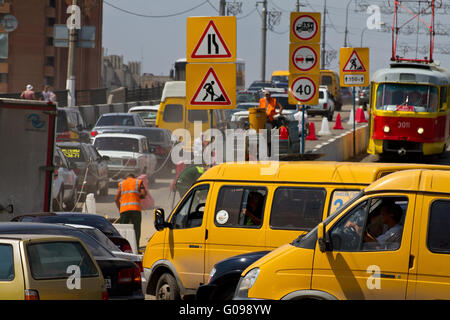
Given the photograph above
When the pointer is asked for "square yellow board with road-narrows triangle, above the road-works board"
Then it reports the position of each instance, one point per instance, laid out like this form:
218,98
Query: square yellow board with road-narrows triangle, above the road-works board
211,39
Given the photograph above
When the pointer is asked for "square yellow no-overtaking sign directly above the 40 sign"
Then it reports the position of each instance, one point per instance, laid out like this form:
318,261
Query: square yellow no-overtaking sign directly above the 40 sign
304,58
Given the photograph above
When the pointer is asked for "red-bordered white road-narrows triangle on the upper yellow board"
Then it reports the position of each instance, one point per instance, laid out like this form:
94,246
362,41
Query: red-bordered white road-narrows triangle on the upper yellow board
211,44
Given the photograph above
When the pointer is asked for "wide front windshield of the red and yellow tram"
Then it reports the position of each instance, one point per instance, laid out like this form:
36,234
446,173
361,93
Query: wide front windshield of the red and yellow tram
407,97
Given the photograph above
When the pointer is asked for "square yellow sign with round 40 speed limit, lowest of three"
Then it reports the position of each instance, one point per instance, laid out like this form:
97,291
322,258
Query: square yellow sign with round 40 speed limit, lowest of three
303,89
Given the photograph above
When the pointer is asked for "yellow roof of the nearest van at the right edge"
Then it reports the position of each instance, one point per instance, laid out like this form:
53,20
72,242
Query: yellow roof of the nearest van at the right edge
424,180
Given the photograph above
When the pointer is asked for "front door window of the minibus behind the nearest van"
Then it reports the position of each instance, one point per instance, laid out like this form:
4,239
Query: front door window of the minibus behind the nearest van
190,212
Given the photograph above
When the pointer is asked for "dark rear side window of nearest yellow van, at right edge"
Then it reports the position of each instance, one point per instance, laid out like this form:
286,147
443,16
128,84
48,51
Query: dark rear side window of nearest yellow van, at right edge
438,239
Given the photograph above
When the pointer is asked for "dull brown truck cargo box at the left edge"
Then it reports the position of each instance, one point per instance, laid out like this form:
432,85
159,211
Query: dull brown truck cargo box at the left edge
27,142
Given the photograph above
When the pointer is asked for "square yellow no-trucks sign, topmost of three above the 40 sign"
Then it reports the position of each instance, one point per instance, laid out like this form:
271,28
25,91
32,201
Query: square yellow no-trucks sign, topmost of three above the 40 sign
305,27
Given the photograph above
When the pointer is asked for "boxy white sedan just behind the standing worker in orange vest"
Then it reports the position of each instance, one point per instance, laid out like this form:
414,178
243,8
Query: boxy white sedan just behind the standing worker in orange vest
128,153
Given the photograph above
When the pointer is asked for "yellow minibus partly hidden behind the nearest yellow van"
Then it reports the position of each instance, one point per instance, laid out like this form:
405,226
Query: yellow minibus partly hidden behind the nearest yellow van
213,221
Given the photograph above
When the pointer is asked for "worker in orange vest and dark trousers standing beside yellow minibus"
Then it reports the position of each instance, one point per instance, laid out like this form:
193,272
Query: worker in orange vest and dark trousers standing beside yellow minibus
128,201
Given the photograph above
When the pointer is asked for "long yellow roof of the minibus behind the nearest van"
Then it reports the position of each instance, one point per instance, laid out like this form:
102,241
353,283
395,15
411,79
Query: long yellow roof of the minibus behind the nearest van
317,172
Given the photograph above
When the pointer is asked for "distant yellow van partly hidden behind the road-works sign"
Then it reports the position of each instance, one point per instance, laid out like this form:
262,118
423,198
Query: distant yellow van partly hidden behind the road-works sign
172,113
